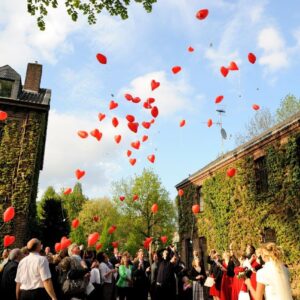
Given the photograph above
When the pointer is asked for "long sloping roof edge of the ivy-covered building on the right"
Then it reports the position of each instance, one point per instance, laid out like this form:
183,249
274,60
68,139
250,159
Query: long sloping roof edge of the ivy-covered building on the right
257,141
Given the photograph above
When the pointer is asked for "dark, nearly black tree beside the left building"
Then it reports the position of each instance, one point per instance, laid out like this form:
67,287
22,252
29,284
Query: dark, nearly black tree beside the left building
53,224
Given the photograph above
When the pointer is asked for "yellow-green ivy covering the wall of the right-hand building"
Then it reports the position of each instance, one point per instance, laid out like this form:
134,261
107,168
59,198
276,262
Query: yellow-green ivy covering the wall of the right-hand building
235,212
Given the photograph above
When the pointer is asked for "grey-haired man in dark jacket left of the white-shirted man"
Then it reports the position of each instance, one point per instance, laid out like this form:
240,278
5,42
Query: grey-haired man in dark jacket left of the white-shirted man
8,284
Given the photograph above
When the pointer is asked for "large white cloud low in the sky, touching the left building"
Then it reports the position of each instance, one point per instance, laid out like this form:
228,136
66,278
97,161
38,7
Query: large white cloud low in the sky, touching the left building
66,152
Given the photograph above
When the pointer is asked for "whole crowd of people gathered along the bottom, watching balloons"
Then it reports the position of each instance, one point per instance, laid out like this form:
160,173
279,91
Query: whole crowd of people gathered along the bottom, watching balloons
73,273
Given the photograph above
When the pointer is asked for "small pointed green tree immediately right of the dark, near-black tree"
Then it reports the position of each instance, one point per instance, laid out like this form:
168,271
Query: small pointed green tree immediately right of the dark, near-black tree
74,201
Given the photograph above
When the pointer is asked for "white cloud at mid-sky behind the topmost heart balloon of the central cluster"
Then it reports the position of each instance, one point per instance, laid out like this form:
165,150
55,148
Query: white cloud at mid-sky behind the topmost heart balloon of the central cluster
171,97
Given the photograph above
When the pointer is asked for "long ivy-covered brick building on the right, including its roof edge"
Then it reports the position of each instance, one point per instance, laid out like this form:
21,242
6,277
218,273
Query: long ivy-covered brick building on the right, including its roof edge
261,203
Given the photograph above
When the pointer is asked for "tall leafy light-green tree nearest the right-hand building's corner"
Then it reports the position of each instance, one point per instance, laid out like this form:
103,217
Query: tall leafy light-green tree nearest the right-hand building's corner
138,221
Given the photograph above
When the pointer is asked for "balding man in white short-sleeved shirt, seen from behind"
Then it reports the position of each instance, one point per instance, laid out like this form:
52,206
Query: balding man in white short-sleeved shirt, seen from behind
33,275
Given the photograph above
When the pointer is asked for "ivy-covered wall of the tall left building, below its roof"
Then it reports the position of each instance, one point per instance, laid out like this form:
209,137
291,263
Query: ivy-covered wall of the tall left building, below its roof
21,150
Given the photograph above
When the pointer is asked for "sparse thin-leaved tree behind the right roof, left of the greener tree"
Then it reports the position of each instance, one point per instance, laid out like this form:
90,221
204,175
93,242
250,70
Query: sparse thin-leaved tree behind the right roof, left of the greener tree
261,121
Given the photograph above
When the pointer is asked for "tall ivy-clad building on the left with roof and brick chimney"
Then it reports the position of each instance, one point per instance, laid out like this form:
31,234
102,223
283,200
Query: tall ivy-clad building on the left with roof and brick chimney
22,144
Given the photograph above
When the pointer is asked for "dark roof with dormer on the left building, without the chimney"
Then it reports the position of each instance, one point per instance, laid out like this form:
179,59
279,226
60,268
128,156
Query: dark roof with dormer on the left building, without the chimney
19,95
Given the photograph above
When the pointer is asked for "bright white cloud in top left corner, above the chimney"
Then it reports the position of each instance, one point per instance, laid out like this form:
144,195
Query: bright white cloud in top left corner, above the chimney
21,41
